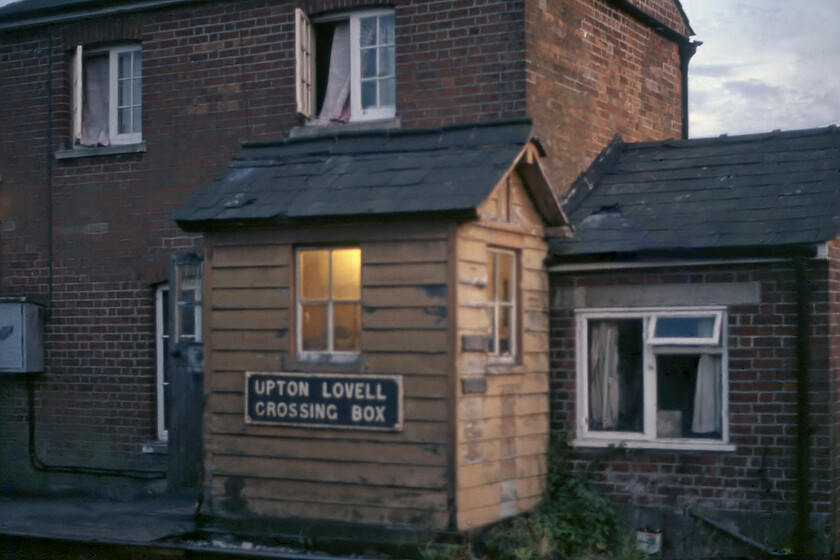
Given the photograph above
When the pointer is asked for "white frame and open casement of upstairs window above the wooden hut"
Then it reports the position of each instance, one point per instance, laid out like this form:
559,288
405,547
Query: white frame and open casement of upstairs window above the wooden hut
305,71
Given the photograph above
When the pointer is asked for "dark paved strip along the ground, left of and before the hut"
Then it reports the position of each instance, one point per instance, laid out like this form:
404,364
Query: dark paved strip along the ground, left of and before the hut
166,527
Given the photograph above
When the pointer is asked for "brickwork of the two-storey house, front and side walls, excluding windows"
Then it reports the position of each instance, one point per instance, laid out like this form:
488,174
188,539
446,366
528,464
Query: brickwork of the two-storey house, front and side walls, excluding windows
93,234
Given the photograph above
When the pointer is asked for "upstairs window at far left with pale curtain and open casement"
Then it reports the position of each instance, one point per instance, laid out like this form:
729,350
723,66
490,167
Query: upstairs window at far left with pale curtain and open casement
107,92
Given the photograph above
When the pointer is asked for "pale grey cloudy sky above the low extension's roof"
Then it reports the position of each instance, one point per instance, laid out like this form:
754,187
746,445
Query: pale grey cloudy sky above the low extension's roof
763,65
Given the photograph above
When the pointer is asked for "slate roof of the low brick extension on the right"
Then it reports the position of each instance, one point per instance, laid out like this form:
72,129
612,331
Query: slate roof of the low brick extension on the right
774,190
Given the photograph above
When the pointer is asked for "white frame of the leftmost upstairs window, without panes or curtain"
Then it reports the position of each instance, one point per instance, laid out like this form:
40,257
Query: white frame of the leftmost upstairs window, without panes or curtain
115,138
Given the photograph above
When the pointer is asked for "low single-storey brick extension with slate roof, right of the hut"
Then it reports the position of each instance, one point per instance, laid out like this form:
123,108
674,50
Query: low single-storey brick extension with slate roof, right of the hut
694,332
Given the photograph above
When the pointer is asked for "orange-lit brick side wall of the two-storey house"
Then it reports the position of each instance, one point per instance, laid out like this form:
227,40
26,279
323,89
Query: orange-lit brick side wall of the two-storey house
593,71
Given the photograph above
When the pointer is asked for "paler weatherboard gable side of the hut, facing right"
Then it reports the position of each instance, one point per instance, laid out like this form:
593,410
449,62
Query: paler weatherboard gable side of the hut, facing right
502,409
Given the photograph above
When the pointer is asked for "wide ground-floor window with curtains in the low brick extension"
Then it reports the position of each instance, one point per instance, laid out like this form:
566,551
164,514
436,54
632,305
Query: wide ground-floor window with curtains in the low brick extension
652,377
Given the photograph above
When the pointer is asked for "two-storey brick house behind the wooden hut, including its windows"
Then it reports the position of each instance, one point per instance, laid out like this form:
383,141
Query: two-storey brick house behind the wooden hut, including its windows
118,113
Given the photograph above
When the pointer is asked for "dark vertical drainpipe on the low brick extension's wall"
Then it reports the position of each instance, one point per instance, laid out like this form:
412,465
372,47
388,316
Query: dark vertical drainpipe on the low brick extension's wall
803,535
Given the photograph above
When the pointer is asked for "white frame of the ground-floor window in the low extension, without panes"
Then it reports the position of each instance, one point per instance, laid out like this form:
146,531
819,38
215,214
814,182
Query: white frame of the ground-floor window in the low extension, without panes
716,344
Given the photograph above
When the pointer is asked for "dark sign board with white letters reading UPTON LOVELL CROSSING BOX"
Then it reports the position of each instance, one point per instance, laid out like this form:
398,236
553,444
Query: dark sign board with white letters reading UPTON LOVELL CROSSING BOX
366,402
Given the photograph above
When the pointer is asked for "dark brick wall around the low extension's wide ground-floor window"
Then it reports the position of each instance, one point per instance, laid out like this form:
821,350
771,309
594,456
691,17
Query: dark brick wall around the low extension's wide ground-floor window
759,476
